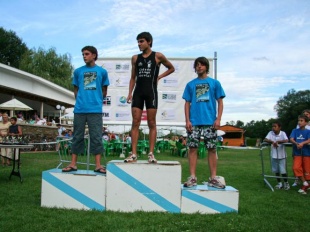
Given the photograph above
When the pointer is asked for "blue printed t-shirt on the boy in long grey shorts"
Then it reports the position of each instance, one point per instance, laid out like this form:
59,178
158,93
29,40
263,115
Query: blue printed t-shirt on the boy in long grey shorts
89,80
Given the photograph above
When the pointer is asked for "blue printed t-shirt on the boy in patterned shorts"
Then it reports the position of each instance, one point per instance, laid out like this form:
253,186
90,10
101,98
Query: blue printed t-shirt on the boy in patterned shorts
203,95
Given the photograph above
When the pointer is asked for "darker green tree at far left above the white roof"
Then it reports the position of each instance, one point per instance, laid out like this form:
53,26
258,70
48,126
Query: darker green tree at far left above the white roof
11,48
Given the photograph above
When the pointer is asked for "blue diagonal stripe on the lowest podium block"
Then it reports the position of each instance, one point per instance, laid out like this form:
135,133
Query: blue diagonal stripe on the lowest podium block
207,202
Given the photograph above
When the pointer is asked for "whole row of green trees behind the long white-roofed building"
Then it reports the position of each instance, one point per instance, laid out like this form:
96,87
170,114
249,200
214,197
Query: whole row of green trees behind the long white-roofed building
43,63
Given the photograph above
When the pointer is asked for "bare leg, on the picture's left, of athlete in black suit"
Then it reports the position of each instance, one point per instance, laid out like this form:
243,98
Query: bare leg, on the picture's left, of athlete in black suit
136,120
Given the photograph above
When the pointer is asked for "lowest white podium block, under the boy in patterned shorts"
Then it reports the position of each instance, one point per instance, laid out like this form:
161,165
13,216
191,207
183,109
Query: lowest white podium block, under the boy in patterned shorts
209,200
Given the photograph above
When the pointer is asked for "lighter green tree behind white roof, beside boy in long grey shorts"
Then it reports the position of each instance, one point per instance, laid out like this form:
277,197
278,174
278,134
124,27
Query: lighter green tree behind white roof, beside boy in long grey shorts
49,65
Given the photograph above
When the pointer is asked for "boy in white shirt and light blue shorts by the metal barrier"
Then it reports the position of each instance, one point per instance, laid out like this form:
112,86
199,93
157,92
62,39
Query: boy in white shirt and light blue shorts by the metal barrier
278,162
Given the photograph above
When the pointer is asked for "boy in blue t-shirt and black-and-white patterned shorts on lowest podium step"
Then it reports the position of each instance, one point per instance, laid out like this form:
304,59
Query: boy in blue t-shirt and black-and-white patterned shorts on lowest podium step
203,95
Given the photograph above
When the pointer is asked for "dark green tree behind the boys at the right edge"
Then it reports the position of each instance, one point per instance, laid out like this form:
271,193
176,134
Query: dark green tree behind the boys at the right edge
290,106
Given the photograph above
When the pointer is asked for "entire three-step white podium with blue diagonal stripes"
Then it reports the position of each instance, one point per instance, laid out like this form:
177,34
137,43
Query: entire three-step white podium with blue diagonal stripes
130,187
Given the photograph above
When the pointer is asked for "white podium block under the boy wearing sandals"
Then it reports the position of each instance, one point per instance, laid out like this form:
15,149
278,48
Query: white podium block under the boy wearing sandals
81,189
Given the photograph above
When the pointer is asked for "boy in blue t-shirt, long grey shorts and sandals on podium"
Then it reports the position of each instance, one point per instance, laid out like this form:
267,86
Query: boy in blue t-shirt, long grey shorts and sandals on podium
90,87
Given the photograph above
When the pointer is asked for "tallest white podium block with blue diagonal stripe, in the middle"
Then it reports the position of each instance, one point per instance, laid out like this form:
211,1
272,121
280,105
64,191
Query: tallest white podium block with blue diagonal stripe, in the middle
142,186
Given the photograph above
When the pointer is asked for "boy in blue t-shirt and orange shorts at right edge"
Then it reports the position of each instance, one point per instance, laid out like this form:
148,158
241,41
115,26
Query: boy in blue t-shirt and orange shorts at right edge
301,153
